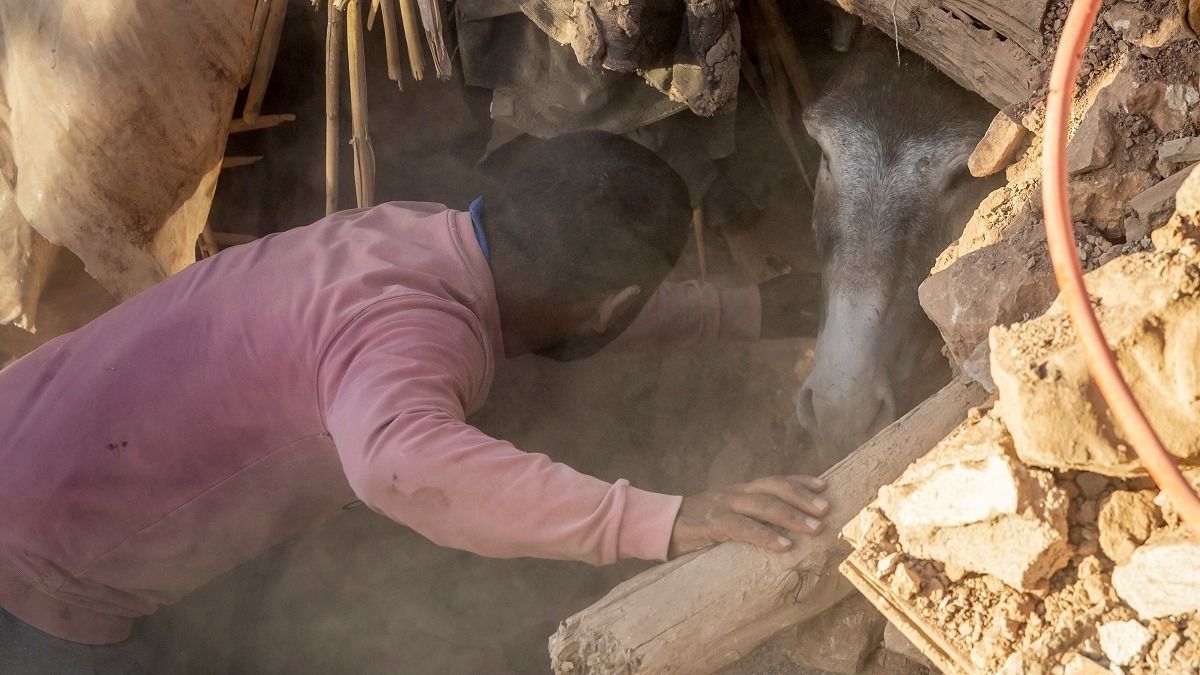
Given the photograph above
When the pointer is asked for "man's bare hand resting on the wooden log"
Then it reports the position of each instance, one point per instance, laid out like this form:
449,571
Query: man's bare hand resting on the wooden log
748,513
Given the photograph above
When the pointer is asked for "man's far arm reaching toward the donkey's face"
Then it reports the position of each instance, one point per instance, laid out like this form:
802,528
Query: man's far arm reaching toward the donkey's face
688,315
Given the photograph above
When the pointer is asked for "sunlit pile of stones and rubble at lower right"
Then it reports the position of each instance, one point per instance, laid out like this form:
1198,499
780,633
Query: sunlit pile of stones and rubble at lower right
1031,540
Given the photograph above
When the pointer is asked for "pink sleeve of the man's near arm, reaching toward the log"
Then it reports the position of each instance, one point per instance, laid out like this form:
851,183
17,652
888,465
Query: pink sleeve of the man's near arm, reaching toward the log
395,389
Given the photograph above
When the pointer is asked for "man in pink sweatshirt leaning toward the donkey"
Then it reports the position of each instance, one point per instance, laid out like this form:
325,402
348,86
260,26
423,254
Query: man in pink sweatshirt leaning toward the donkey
256,393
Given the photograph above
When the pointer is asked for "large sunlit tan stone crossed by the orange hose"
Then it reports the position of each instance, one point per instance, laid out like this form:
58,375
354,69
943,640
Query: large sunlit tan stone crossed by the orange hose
1149,306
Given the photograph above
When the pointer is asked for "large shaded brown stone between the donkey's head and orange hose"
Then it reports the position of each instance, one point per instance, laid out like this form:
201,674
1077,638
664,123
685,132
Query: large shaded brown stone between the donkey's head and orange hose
1000,284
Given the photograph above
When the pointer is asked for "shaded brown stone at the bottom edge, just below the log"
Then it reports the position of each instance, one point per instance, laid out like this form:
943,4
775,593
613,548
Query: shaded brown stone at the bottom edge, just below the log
841,640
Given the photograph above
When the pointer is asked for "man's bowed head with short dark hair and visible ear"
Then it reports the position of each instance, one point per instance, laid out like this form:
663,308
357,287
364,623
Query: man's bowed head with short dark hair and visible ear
583,235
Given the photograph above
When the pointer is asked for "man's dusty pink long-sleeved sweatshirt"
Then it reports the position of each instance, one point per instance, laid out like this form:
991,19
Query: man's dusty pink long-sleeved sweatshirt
255,395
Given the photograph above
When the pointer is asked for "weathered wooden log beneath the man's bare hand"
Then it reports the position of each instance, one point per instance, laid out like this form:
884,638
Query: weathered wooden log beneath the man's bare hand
706,611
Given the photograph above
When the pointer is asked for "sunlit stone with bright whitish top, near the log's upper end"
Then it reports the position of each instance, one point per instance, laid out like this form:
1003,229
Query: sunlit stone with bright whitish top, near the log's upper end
973,506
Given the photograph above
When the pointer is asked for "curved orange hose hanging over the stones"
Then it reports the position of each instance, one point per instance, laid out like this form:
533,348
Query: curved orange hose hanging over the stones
1061,241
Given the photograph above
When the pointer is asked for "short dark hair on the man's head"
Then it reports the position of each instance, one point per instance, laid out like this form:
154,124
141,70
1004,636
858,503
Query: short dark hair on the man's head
587,213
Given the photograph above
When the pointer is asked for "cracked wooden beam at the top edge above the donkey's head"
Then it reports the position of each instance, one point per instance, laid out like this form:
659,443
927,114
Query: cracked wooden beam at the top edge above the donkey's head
993,47
